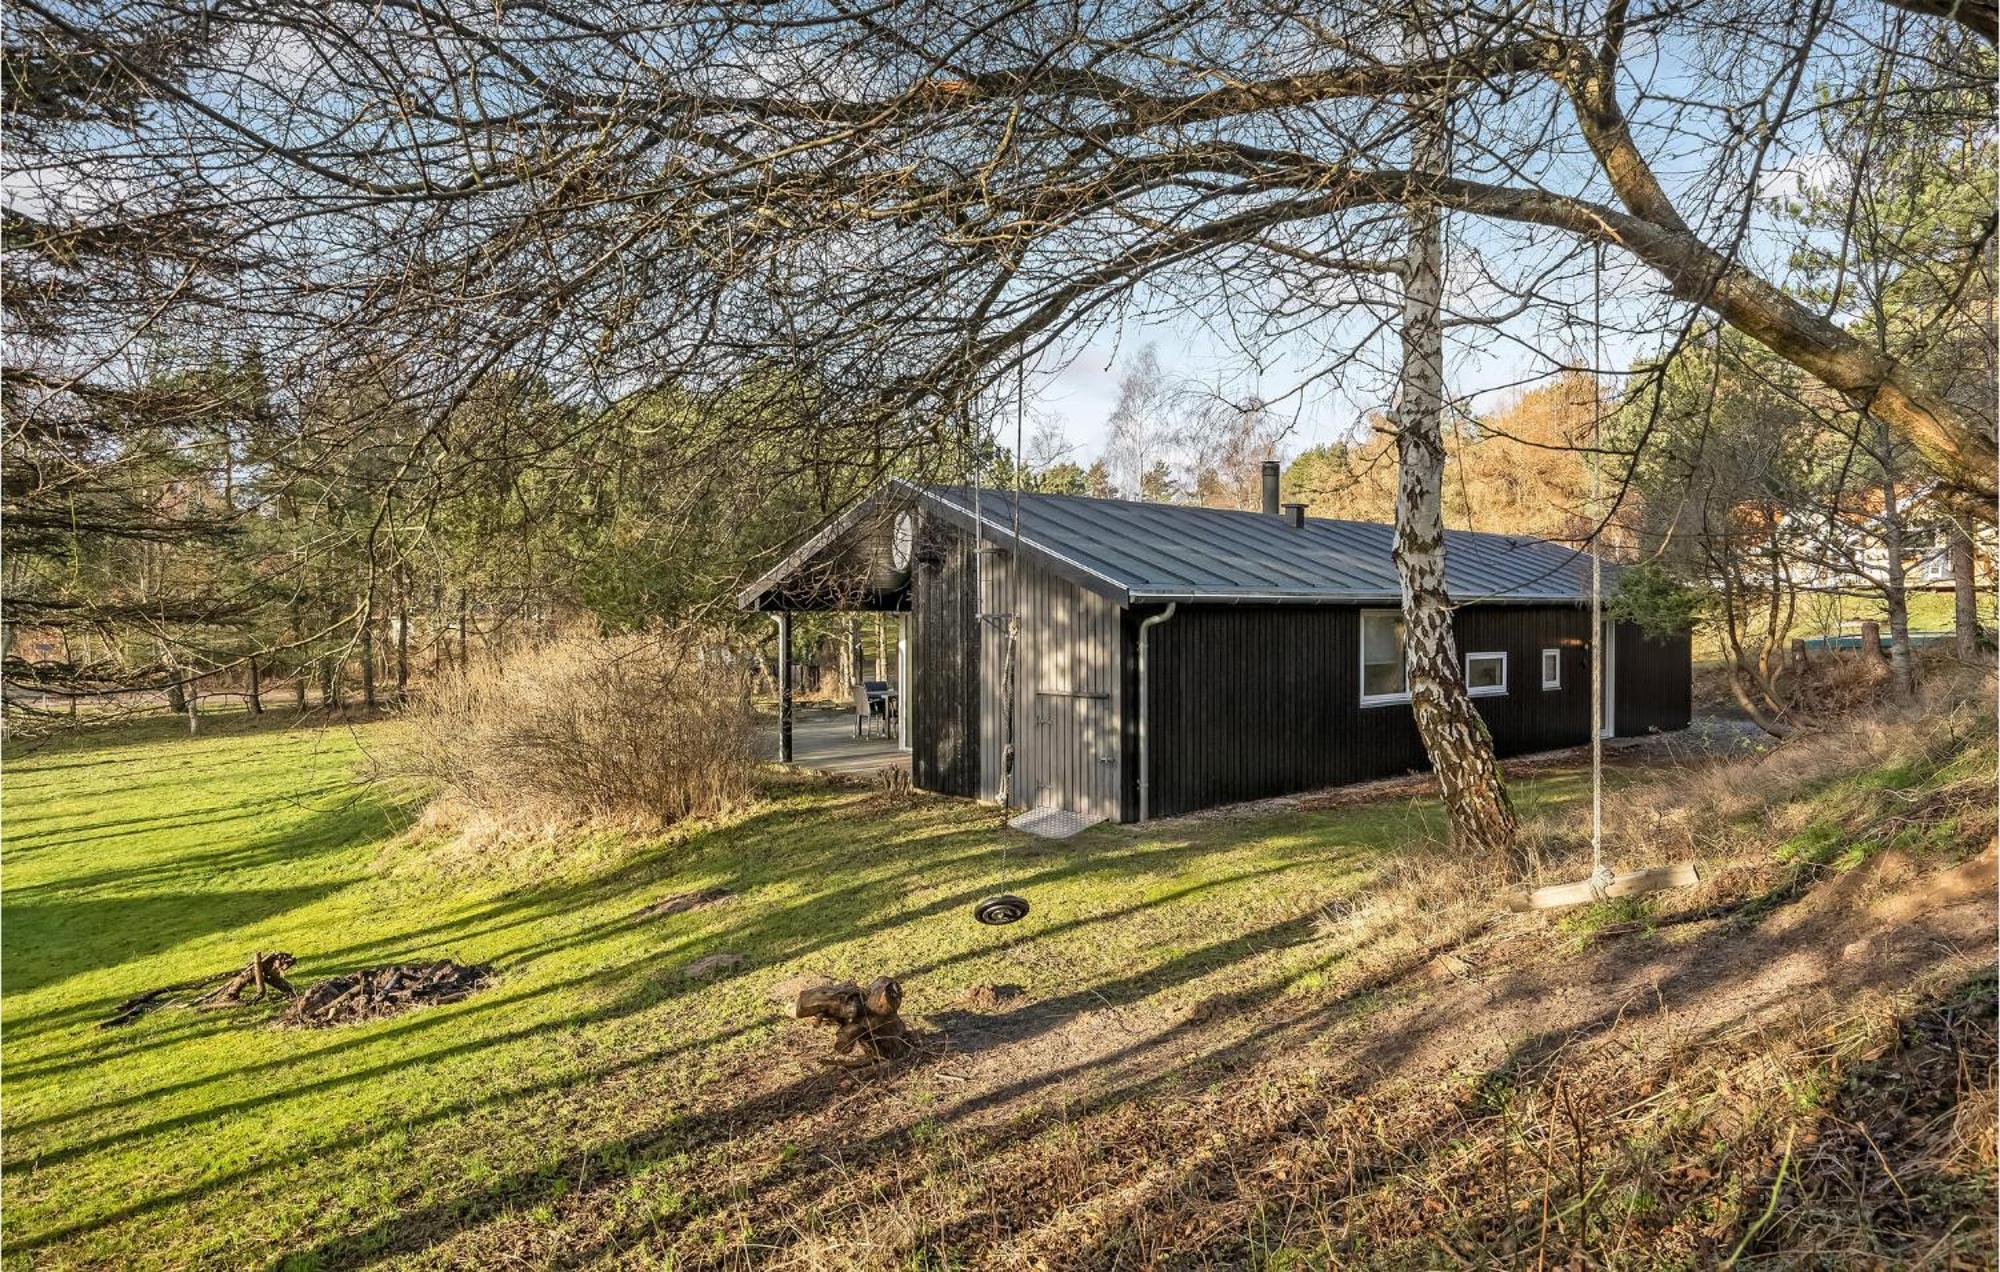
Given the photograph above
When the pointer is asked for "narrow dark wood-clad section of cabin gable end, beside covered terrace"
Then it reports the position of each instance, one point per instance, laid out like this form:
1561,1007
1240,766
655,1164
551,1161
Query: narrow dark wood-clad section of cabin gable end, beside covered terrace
945,699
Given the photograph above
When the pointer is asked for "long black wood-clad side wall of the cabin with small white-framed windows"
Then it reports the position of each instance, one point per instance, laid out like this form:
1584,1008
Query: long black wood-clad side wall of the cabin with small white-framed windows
1263,701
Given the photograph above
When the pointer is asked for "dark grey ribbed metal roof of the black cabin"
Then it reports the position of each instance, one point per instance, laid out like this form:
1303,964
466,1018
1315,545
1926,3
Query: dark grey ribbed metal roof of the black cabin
1155,553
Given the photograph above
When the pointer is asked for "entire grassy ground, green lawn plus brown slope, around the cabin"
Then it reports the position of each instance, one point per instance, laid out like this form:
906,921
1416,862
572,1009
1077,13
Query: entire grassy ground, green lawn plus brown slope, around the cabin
597,1101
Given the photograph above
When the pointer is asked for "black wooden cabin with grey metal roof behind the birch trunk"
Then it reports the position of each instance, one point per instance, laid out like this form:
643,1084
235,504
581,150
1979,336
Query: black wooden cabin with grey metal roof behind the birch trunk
1171,659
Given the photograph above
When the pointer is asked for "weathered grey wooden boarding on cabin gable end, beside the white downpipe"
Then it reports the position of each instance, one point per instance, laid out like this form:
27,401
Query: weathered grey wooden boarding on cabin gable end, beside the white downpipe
1069,693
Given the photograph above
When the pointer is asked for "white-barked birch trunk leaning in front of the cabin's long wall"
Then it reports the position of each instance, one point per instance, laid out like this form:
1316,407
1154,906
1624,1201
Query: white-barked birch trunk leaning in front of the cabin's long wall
1453,731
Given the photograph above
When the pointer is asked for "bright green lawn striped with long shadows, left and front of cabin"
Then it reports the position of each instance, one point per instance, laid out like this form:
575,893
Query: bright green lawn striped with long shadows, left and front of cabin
195,1139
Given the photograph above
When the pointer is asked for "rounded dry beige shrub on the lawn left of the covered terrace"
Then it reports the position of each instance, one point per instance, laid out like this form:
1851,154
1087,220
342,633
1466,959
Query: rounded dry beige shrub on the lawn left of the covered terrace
631,731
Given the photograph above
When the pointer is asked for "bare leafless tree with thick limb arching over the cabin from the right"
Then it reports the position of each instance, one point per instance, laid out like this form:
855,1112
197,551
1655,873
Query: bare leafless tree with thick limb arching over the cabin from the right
913,201
